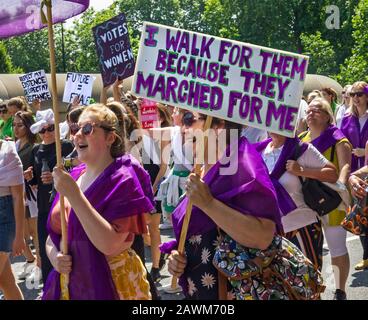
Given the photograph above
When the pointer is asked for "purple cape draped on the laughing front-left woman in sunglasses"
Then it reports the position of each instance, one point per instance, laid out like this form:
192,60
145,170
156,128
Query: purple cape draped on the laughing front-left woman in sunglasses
122,190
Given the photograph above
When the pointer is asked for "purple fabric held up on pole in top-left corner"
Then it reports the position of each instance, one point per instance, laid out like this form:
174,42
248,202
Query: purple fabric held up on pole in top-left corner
22,16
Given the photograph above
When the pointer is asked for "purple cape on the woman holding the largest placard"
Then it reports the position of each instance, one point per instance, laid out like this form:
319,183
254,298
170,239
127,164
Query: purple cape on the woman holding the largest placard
245,191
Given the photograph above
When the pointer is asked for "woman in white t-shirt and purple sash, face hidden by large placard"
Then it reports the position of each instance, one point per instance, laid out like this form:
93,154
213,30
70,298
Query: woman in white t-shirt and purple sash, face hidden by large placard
287,159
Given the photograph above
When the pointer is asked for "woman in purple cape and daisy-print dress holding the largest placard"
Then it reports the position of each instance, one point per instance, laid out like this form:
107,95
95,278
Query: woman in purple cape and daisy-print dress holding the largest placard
236,196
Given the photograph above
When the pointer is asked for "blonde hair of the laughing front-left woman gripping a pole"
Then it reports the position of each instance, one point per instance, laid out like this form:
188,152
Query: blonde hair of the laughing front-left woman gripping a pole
108,119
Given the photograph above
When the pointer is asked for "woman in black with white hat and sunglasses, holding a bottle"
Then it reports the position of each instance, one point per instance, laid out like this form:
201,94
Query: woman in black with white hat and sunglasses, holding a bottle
38,174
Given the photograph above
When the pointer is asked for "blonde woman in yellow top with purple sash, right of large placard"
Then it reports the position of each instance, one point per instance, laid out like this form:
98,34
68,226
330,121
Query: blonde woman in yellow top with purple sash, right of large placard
332,143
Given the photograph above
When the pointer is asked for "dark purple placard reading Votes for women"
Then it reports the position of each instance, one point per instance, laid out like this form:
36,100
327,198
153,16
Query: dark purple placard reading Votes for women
113,50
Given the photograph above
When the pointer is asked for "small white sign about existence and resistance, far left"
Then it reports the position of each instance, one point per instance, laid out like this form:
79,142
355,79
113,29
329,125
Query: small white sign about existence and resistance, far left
35,86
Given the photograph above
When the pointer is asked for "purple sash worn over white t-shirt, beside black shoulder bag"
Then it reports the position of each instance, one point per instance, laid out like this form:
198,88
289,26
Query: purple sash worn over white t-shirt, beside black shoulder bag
288,152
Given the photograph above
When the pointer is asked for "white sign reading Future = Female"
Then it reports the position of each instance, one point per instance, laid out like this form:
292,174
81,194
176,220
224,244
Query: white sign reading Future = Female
80,85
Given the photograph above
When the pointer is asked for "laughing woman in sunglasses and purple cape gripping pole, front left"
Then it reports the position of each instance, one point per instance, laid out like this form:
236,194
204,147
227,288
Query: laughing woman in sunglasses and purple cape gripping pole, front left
105,206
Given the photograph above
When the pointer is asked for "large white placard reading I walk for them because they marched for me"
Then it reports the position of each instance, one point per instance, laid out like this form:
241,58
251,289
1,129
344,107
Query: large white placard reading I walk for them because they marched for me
243,83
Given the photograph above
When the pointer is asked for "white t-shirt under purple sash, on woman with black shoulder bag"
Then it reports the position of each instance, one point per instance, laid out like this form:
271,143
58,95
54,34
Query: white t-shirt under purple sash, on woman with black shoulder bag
303,215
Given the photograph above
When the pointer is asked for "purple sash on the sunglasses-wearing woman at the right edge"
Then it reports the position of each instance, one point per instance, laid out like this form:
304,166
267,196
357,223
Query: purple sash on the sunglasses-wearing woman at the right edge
350,126
